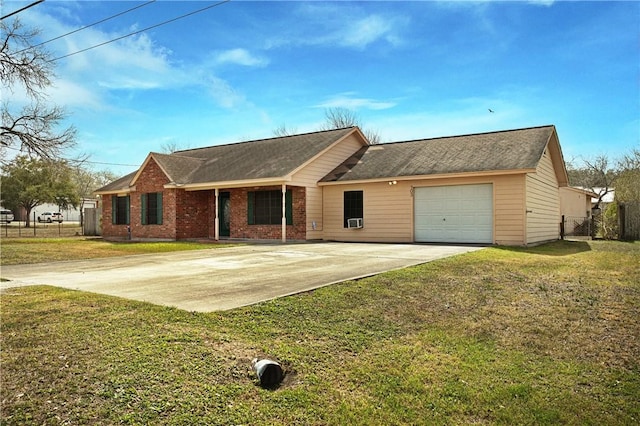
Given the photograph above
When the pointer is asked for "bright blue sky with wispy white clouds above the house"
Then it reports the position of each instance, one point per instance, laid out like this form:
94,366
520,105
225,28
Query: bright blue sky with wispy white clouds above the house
410,70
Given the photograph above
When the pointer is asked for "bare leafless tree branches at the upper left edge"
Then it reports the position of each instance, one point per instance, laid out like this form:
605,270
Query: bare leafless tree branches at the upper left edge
30,128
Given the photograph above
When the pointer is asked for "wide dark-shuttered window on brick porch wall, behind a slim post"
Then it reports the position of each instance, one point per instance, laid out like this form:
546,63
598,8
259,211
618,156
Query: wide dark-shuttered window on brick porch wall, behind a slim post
265,207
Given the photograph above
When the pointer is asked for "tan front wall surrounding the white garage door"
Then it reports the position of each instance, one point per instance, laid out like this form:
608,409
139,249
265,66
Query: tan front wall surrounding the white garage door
388,209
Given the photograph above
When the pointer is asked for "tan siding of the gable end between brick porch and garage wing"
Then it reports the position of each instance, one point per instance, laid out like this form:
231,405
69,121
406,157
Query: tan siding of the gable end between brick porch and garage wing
316,170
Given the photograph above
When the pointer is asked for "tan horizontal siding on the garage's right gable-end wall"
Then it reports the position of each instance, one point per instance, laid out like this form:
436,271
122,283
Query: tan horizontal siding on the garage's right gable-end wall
543,203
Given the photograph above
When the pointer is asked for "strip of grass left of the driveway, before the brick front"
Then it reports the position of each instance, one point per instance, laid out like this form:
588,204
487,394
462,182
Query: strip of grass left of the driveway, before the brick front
37,250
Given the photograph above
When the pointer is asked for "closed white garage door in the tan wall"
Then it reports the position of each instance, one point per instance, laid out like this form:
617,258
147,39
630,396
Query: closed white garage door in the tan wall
454,214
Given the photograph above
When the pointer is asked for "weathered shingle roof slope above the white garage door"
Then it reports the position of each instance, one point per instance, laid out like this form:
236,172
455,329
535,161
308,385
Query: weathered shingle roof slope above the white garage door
496,151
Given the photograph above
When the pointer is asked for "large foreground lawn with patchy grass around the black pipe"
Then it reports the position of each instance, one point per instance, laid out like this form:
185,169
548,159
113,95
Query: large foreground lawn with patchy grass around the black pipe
547,335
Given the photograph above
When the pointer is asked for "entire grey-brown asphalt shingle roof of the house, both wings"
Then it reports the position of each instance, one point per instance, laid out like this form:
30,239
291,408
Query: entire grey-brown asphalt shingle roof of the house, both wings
519,149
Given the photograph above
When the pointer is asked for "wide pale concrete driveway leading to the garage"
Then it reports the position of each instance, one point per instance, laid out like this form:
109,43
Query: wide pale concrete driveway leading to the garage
229,277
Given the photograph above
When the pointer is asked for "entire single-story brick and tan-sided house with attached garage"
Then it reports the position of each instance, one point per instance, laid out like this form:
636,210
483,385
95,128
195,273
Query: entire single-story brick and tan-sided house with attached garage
490,188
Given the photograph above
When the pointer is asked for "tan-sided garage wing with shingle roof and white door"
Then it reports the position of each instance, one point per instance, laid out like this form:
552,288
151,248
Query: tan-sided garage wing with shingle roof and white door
486,188
